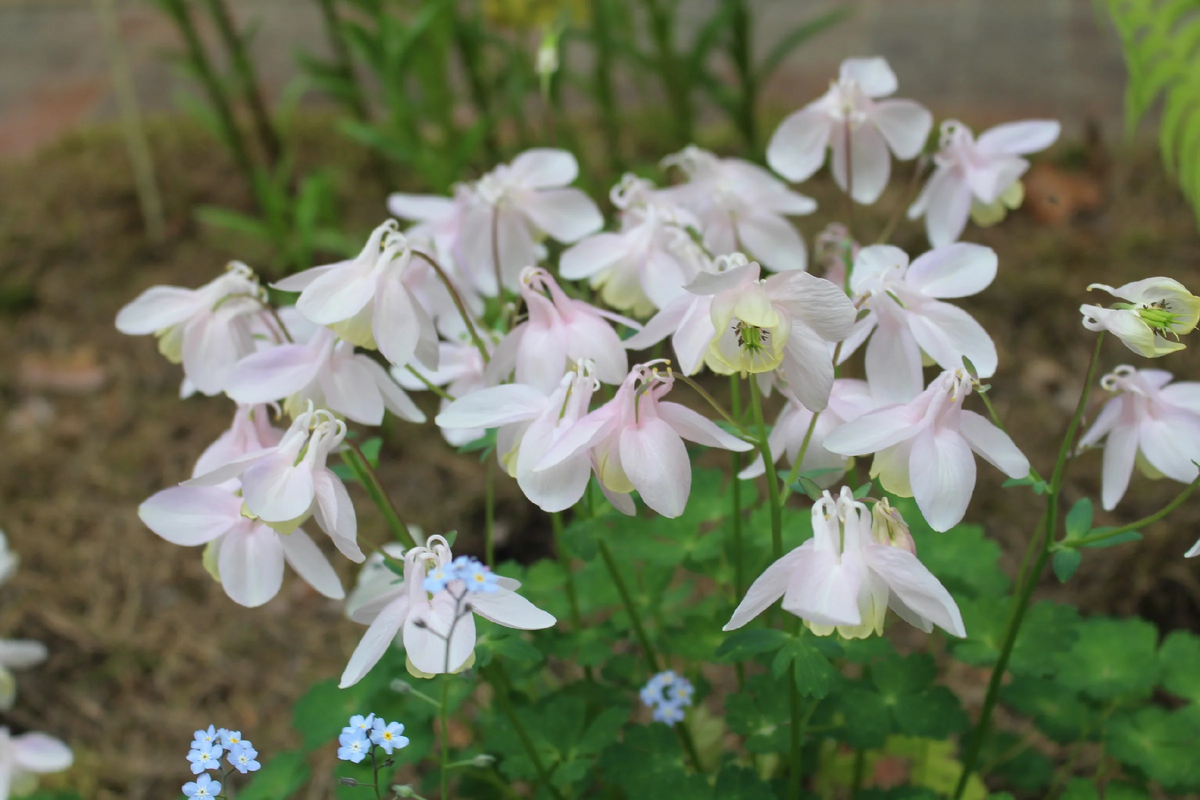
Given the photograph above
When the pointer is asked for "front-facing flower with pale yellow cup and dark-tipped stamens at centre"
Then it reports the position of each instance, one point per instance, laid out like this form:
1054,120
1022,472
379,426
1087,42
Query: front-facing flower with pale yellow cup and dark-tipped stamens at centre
783,323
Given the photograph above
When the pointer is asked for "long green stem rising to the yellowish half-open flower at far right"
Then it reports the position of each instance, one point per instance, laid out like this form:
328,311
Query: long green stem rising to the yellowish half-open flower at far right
1031,581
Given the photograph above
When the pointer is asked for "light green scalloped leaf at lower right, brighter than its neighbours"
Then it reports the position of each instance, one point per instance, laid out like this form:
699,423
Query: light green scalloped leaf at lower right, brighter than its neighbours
1112,659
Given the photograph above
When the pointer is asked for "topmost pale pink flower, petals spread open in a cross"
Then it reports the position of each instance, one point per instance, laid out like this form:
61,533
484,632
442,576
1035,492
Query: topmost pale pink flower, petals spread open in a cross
853,111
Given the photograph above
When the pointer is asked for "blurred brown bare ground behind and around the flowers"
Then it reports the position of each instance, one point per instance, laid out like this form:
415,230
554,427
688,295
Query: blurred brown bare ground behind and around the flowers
146,647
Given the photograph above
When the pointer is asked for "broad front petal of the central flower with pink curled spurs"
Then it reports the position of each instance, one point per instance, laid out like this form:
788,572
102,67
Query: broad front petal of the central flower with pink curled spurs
656,461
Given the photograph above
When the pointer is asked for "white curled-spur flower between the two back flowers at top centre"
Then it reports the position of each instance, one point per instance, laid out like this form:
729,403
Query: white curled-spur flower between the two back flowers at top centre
639,268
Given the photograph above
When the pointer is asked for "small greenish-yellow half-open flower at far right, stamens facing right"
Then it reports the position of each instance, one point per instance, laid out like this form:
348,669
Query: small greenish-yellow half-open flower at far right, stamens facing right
1155,309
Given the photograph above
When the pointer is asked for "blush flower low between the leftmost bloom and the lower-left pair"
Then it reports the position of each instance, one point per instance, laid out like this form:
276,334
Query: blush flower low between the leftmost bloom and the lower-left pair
327,372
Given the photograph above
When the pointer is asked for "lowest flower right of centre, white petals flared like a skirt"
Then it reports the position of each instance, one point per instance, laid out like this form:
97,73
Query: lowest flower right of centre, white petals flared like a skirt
849,575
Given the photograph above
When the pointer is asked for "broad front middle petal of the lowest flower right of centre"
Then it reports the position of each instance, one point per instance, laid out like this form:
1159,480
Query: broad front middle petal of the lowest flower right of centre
825,590
